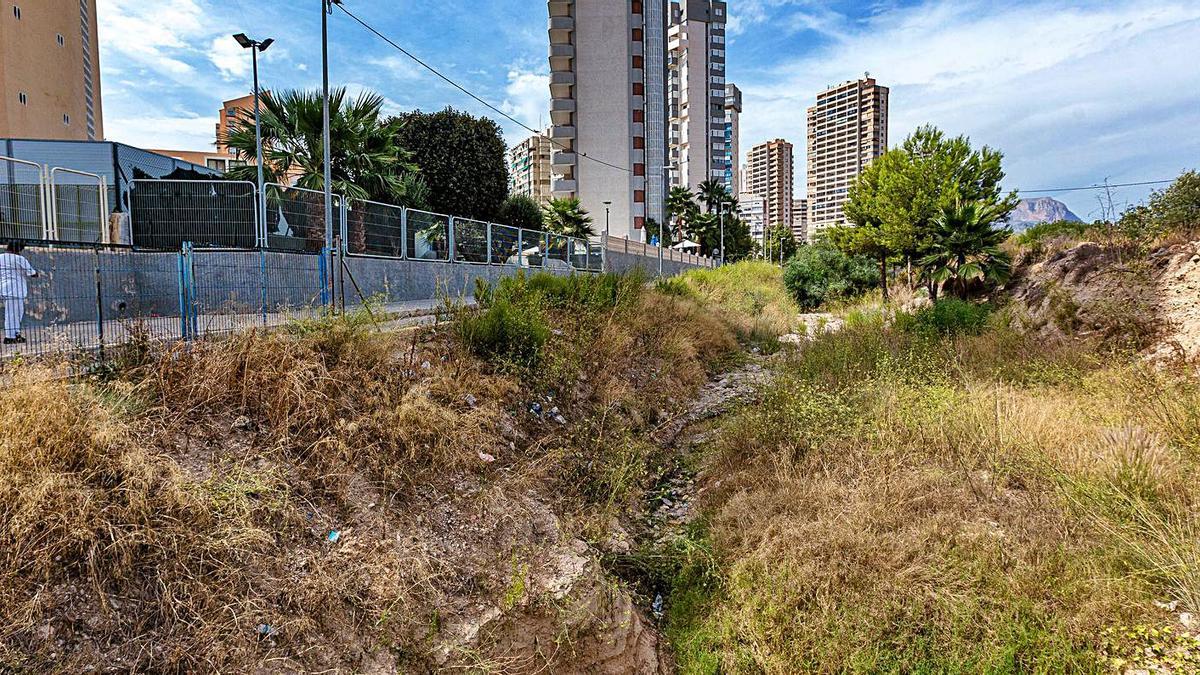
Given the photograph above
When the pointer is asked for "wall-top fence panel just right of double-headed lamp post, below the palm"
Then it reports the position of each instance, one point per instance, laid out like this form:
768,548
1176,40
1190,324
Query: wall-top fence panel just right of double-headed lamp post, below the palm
296,218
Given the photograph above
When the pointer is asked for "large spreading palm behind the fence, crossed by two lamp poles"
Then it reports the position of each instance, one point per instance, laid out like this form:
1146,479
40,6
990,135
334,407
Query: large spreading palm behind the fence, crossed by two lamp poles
369,159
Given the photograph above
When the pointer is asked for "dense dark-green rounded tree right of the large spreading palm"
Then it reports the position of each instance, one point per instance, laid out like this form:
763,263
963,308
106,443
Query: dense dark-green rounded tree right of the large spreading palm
464,160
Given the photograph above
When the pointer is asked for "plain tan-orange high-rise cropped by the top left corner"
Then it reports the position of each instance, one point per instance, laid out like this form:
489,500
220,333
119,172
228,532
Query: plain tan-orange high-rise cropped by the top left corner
50,70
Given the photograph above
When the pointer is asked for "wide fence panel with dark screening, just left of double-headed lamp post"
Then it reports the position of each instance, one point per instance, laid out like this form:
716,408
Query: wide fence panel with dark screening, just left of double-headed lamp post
220,214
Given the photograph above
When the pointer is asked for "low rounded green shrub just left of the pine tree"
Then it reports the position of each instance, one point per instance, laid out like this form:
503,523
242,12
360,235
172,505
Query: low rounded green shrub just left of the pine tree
819,274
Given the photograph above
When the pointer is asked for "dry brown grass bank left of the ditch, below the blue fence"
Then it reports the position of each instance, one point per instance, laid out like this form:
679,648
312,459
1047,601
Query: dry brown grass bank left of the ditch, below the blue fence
178,518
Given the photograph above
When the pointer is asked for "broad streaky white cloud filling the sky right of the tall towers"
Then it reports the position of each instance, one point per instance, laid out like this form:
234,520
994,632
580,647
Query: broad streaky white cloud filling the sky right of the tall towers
1063,91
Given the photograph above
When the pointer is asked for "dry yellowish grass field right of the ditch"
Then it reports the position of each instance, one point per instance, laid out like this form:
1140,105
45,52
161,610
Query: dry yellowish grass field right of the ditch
987,504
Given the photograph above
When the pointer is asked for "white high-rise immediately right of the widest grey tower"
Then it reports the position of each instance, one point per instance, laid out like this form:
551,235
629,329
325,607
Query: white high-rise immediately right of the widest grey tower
700,134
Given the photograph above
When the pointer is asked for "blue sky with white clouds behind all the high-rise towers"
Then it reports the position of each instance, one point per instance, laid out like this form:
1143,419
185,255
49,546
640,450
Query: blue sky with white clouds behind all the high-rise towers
1073,93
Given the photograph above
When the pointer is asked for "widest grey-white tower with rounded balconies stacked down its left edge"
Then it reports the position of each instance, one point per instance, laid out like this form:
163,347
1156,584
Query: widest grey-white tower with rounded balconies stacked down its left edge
608,87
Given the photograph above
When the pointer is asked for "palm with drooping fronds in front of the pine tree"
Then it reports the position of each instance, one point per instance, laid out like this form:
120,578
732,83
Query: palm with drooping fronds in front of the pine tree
965,248
